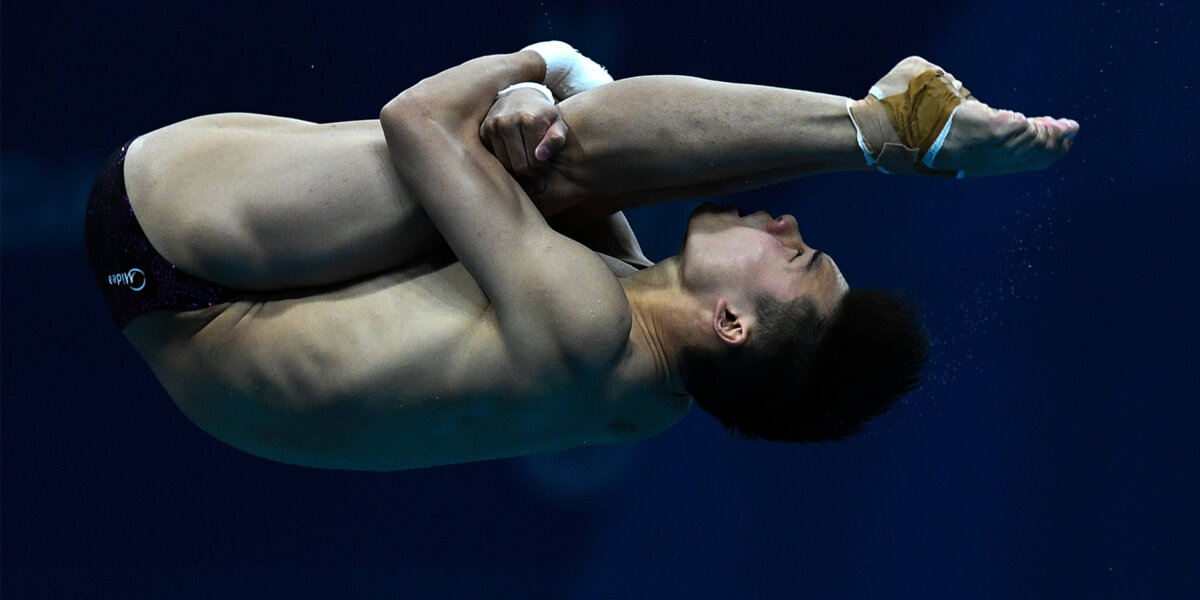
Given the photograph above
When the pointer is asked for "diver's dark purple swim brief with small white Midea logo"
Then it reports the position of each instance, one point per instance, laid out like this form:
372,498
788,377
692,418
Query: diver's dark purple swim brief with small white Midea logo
134,278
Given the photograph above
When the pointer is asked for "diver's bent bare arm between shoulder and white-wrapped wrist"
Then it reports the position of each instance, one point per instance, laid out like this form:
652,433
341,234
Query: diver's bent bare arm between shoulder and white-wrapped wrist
483,214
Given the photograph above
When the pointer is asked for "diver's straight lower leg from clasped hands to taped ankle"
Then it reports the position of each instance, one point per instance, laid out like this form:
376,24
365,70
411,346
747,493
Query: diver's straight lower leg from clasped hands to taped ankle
653,139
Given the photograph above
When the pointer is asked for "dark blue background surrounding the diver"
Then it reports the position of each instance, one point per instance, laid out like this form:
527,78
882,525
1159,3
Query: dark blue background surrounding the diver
1053,453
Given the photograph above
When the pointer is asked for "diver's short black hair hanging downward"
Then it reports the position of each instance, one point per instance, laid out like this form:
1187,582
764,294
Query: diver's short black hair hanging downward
806,379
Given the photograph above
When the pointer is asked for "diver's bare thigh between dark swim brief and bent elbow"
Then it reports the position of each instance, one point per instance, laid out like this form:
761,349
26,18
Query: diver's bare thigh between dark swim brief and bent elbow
263,203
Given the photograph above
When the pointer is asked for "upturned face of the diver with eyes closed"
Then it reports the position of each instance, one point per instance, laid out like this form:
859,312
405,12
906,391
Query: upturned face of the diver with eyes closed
751,255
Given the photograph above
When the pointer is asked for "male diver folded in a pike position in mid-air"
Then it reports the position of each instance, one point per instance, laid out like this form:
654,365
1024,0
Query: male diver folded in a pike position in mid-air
386,296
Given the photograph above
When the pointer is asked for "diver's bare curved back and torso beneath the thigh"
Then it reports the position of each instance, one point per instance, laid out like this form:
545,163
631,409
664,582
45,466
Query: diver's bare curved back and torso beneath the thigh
403,370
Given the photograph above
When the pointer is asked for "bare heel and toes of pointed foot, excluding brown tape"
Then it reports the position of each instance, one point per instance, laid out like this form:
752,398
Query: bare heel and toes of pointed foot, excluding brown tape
983,141
